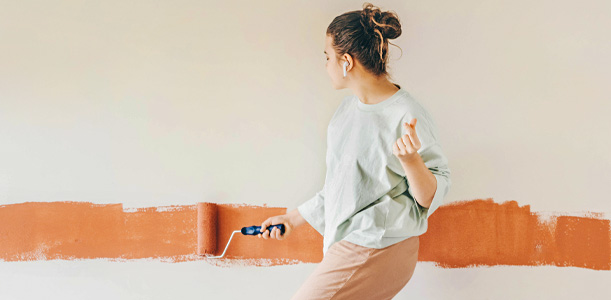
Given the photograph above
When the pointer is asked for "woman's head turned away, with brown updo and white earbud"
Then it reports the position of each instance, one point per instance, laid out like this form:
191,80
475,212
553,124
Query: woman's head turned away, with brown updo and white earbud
360,38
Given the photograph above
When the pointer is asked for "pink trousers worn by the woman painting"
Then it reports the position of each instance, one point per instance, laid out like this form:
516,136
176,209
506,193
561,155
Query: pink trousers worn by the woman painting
350,271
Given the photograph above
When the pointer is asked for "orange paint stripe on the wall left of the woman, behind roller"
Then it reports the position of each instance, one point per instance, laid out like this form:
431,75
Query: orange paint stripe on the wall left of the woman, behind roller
83,230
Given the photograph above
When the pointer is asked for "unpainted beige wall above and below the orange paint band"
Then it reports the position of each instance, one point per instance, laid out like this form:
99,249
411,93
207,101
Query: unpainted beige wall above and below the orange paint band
175,102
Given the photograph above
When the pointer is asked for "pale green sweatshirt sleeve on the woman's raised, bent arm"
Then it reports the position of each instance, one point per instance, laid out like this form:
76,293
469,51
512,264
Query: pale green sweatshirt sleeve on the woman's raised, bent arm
433,157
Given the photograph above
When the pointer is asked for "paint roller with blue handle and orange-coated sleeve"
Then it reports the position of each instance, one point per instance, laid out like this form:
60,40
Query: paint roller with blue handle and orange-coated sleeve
207,216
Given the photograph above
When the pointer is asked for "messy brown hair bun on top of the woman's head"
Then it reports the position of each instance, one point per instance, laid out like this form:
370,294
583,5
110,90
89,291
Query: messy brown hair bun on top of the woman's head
386,23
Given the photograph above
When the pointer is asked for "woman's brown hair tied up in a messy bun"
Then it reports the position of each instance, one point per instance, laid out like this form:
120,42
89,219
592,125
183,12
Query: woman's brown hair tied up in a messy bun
364,35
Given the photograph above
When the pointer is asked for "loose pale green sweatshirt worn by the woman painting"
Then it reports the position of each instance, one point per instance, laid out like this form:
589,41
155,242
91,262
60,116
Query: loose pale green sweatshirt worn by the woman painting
366,198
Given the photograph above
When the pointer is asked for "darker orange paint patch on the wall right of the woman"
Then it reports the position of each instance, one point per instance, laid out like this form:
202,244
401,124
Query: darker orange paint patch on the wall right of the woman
484,233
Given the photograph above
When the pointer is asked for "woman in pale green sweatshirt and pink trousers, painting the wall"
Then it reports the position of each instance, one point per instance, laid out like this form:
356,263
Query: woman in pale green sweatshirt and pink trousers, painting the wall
385,174
